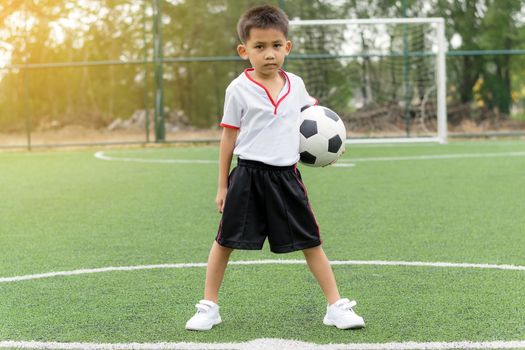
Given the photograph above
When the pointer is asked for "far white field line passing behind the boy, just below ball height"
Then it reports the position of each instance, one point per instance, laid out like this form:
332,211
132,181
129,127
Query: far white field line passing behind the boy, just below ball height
341,163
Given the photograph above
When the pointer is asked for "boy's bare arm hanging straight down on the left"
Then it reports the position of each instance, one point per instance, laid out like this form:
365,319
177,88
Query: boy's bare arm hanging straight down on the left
229,136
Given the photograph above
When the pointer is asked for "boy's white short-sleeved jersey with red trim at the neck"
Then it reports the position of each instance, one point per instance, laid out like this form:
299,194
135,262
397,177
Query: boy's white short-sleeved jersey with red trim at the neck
268,129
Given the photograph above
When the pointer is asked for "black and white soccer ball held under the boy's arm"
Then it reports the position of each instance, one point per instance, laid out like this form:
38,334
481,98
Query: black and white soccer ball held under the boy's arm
323,136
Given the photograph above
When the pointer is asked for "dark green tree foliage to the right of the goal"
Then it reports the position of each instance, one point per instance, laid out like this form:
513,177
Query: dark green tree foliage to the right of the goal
484,25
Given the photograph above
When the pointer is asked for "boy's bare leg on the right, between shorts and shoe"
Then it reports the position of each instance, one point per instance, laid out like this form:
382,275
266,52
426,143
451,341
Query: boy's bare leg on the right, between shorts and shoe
322,271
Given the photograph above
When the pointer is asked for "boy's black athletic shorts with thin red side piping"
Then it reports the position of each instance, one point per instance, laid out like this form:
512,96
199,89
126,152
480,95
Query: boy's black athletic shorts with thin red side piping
267,201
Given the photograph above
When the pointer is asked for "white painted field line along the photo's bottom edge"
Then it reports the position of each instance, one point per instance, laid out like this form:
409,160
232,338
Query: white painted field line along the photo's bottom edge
265,344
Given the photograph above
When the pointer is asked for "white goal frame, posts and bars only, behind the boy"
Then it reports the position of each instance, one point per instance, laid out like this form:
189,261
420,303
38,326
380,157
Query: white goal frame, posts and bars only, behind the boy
440,72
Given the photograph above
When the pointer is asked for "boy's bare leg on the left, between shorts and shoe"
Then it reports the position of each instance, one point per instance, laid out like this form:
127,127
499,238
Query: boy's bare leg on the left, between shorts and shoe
217,262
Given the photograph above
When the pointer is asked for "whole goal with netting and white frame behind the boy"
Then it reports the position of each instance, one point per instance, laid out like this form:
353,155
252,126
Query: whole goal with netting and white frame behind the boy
384,77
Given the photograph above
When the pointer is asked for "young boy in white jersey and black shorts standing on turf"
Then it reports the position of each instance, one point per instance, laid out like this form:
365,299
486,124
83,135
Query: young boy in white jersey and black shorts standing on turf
264,195
